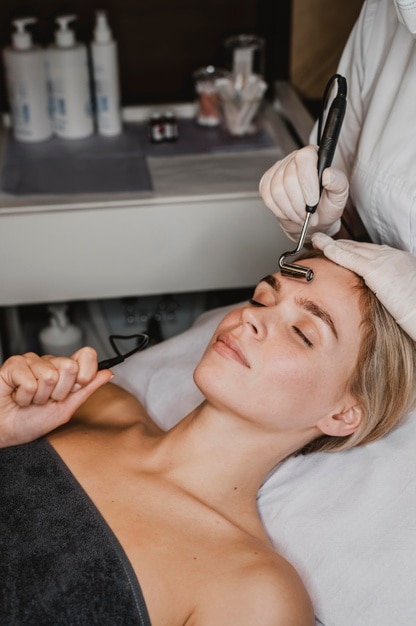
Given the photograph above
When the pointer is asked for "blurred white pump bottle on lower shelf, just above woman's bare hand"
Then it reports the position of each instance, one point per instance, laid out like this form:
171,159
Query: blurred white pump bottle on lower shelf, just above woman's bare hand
61,337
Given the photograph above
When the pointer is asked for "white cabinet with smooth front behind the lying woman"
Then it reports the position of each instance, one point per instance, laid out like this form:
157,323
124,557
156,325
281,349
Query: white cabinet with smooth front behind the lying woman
202,227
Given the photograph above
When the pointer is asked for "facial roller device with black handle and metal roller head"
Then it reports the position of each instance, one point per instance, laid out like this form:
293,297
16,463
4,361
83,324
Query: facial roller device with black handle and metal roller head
327,141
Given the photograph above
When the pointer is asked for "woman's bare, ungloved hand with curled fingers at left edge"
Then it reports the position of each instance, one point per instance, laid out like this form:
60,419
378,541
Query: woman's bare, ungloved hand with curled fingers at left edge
37,394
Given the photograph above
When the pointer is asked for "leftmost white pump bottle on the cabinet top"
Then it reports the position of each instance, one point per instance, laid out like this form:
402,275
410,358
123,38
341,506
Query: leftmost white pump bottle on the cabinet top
27,85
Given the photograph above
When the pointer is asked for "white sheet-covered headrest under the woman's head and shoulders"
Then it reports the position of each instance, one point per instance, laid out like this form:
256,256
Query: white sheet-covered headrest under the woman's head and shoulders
346,521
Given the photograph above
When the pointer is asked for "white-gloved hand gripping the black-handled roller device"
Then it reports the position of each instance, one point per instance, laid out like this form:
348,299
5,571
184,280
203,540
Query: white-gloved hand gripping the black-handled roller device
292,183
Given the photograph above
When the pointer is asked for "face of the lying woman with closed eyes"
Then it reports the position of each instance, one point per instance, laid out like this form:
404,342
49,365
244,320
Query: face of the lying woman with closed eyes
285,358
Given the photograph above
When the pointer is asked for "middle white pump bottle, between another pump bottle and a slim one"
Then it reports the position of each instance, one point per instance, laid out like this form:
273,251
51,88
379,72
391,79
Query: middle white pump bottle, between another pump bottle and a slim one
68,73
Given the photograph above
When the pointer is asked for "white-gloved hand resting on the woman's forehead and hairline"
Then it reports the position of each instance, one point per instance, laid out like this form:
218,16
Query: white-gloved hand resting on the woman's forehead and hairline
390,273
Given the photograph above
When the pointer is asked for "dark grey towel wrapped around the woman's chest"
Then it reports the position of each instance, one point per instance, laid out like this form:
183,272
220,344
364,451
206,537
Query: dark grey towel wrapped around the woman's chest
60,563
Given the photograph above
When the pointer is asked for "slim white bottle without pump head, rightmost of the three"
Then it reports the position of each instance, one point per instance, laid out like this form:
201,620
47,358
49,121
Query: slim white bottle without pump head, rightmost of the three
106,78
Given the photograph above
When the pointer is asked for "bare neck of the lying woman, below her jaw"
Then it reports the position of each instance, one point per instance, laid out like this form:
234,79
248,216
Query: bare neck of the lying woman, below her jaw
223,459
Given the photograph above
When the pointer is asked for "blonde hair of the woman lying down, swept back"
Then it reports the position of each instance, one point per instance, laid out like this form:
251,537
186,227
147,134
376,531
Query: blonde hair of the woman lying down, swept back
384,379
